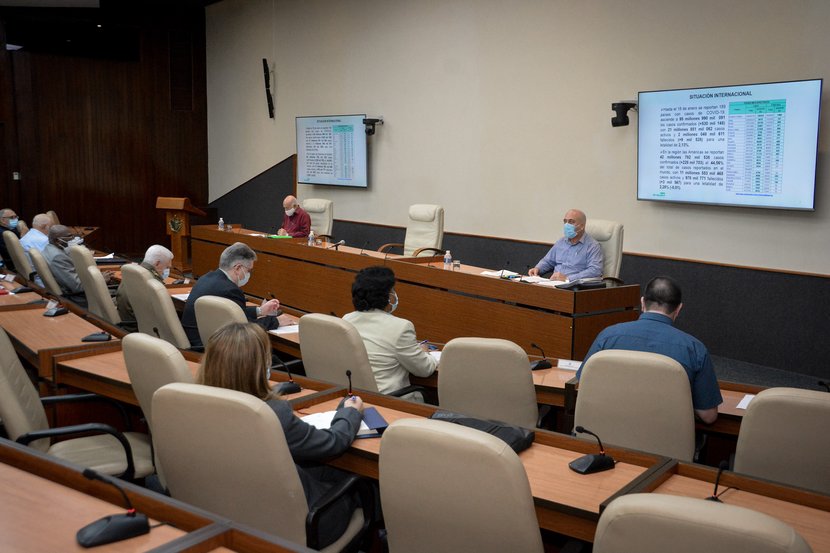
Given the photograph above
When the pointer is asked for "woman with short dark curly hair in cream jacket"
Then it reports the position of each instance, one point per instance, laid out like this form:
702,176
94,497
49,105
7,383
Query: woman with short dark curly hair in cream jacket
394,351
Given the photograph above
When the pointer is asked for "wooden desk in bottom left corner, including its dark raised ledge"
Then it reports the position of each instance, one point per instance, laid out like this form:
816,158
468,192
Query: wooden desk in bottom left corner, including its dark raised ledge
45,501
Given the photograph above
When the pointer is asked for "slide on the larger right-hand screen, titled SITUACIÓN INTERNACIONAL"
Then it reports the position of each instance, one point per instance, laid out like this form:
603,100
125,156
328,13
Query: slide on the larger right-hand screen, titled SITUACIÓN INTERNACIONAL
748,145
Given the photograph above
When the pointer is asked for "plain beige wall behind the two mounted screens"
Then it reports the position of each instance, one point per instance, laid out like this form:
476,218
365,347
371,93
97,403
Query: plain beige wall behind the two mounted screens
500,110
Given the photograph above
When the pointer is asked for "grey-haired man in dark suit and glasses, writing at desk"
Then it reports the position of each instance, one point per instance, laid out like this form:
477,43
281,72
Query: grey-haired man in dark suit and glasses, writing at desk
235,266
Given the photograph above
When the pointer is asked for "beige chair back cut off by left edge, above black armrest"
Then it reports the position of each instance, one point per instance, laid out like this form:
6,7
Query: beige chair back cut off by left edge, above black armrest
20,407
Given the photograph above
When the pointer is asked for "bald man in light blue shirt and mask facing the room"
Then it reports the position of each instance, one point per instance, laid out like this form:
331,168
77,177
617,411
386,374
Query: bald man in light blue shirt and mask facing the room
576,255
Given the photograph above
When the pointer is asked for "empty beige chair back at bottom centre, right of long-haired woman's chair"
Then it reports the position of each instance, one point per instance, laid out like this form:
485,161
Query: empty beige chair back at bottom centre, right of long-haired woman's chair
448,488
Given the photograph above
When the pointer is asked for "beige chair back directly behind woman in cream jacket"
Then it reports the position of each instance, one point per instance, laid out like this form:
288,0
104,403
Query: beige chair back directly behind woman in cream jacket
331,346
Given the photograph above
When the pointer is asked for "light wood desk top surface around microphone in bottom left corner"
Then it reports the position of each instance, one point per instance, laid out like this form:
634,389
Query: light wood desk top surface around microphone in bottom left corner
37,515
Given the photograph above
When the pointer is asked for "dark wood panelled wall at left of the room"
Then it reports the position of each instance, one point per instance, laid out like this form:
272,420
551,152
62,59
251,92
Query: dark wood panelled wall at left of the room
99,139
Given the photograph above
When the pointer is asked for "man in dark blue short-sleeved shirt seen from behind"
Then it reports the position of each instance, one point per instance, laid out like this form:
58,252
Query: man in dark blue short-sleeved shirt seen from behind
654,332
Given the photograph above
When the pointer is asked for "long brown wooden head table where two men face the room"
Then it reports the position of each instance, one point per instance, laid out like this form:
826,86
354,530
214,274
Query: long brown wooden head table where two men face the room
441,303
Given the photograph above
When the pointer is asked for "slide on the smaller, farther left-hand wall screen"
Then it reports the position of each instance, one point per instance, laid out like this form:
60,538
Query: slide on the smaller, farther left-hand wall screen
331,149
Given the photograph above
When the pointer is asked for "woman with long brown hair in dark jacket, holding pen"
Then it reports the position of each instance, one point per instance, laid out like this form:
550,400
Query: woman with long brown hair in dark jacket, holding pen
238,357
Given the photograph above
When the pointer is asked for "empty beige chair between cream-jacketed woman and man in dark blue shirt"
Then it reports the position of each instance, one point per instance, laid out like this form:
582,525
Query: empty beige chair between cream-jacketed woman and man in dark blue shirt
487,378
